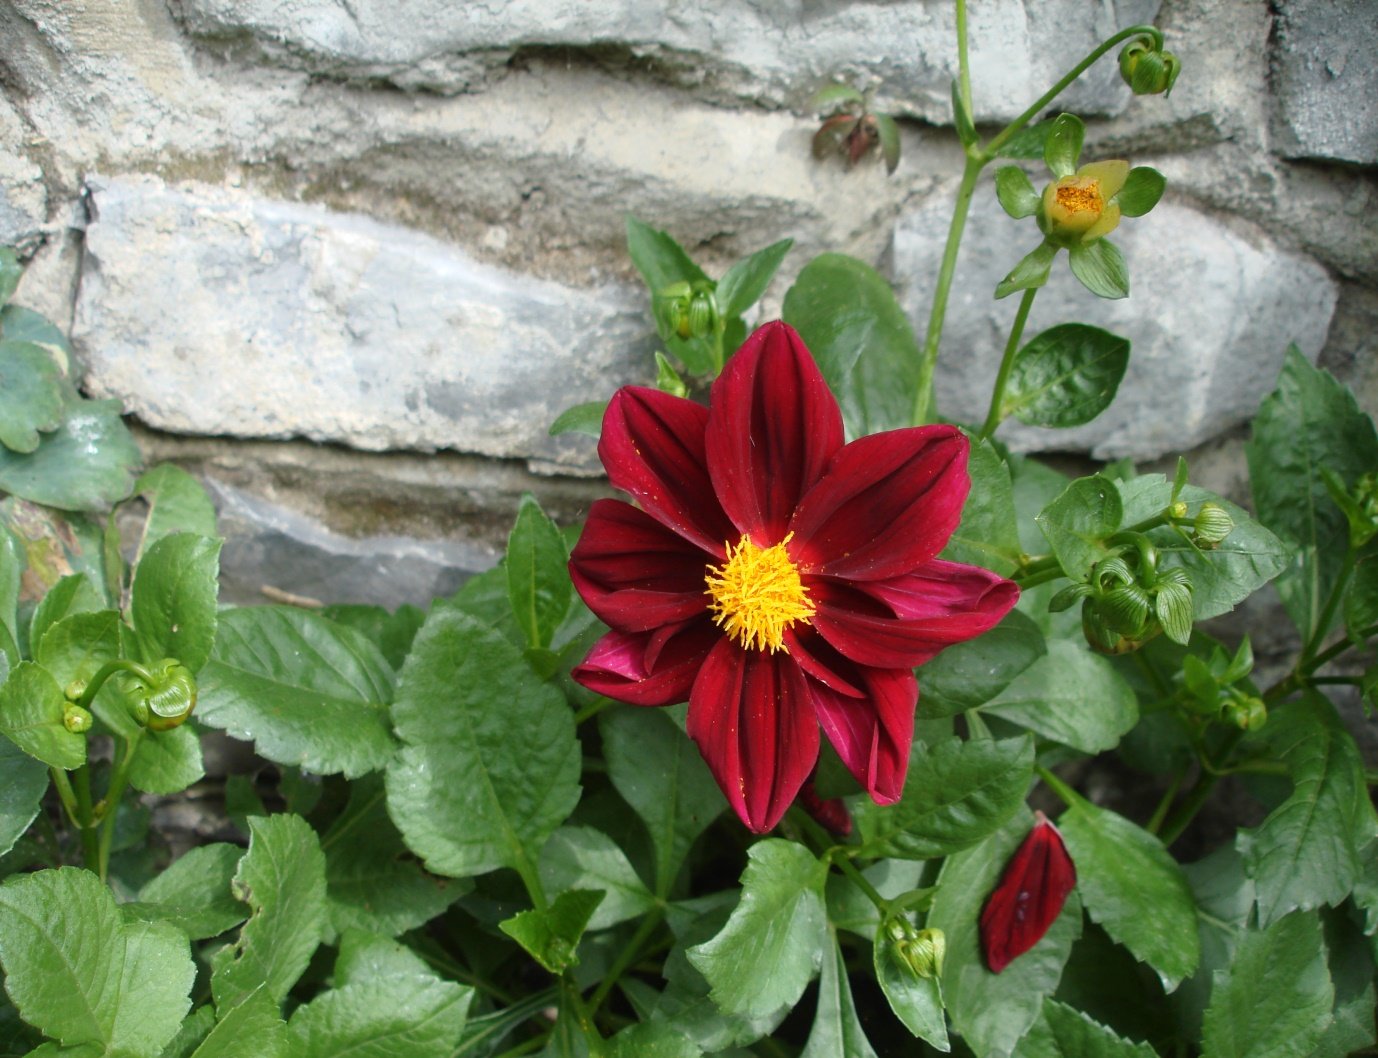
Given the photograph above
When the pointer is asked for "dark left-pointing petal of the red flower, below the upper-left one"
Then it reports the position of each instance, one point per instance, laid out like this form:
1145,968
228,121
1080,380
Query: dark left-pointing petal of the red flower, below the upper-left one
636,574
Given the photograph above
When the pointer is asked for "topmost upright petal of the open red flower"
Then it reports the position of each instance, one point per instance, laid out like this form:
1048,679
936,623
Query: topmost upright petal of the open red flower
772,429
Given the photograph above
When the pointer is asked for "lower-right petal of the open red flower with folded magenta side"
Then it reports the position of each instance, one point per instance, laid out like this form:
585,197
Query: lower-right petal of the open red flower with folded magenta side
873,735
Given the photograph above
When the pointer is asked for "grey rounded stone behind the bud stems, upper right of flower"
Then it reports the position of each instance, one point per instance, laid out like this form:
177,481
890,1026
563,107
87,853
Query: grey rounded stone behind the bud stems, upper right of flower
1194,371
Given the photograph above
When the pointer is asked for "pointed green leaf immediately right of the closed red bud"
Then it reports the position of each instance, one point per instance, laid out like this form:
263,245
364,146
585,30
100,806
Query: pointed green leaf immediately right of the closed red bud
1133,888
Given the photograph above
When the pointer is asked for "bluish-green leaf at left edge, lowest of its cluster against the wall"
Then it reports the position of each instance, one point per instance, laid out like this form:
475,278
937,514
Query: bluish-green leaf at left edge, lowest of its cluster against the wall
86,465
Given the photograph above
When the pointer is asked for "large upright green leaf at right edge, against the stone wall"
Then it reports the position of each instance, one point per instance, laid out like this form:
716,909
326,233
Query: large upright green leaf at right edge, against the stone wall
1310,422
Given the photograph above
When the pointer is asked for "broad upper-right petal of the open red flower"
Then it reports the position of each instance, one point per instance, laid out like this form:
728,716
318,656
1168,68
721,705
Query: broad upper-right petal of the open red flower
888,505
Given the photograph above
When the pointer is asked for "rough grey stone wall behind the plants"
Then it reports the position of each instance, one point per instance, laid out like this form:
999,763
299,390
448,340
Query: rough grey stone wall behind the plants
349,258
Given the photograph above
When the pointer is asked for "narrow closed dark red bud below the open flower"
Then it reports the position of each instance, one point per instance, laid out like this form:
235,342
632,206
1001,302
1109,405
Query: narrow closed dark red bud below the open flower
1030,898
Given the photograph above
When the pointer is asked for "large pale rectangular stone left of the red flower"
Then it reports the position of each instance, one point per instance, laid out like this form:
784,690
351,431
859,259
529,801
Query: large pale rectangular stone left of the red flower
293,322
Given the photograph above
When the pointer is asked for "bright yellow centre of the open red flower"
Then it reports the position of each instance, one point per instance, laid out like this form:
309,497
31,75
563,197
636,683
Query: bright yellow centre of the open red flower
757,596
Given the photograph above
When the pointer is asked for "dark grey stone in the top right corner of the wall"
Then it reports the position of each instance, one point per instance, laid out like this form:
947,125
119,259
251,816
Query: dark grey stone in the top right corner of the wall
1324,74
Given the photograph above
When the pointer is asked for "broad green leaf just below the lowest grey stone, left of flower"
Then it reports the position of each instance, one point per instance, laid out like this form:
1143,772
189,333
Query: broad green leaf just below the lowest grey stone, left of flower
308,692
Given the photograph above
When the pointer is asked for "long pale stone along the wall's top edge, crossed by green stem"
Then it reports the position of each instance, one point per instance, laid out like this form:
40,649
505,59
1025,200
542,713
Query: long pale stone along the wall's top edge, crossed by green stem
735,50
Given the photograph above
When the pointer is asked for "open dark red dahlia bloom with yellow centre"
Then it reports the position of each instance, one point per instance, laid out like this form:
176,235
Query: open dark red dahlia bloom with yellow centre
777,578
